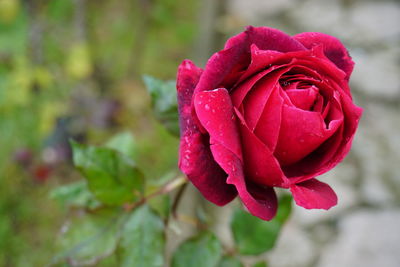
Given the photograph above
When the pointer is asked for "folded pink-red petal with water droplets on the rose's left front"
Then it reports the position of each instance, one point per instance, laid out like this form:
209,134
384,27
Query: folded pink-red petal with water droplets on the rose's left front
215,112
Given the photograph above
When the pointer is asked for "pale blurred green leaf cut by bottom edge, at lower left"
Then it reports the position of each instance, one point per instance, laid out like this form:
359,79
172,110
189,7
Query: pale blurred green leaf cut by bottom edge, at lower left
89,237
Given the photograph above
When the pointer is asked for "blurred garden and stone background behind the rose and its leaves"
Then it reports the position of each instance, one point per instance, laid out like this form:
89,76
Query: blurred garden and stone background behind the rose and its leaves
73,69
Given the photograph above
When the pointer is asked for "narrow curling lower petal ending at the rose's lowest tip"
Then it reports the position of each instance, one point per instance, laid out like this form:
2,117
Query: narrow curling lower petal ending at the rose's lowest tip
261,201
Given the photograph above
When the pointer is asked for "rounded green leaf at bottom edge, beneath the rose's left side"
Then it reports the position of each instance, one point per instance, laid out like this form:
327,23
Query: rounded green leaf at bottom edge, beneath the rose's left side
202,250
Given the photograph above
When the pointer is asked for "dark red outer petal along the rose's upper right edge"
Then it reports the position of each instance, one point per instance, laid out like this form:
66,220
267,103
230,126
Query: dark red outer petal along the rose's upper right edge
333,49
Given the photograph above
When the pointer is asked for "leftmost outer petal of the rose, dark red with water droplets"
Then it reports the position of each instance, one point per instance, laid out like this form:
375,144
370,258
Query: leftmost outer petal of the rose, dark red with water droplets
195,158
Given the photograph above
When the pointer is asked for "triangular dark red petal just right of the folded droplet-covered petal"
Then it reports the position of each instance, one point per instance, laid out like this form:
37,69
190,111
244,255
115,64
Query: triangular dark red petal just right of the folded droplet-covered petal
260,164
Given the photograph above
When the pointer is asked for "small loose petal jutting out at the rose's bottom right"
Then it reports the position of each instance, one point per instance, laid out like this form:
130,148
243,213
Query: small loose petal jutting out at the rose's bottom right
313,194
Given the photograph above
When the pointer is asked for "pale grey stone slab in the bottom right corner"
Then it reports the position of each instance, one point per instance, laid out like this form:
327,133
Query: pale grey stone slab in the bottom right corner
366,239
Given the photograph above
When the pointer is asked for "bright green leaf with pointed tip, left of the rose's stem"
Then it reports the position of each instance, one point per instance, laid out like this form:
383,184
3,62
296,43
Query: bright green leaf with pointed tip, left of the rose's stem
112,177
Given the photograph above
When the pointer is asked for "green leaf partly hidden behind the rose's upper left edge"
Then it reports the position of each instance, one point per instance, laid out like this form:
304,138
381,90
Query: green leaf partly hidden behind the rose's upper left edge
163,98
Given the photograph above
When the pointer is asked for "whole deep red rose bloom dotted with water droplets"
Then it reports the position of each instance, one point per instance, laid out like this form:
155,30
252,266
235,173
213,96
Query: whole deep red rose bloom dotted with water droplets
269,110
